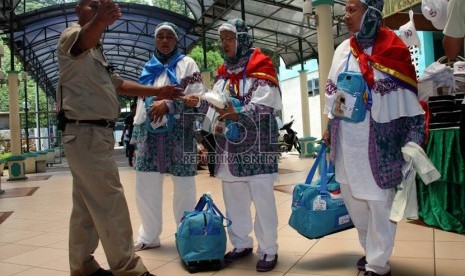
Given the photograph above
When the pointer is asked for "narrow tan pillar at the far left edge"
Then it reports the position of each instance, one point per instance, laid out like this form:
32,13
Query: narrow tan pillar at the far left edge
14,120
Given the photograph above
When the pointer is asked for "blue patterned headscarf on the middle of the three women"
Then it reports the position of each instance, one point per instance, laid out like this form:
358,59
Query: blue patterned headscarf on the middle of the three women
244,40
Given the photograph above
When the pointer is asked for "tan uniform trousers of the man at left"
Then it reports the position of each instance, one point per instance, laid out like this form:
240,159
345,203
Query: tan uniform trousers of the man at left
100,209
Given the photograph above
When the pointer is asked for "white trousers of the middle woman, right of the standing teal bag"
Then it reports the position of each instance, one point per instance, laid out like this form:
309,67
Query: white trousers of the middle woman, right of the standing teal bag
238,197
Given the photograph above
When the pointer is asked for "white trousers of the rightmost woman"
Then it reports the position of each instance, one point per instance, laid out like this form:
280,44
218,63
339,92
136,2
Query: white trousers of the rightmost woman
376,231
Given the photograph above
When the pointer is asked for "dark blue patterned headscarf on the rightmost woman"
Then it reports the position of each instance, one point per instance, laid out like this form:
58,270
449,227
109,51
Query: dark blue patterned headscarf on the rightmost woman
371,22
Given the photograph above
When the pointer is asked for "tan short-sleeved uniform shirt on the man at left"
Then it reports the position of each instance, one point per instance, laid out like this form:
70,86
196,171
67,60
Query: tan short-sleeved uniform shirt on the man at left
86,86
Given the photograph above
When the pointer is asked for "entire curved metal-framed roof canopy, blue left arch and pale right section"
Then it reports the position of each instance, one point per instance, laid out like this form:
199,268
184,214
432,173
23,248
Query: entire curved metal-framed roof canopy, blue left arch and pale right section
128,43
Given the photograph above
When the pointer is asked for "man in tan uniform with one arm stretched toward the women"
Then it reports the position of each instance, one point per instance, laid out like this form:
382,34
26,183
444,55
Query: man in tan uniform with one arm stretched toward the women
87,94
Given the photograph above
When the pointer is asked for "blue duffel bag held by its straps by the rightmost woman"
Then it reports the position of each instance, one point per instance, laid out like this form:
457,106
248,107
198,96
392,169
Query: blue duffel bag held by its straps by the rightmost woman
318,209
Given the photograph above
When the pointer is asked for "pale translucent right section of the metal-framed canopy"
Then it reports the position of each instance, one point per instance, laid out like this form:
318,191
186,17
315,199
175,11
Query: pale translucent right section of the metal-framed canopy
276,25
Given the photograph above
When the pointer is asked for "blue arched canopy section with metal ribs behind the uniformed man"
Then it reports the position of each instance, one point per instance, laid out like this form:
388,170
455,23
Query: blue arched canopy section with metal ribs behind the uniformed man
128,43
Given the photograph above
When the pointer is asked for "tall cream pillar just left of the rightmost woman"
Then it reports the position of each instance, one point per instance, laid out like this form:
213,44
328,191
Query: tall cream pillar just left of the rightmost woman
325,49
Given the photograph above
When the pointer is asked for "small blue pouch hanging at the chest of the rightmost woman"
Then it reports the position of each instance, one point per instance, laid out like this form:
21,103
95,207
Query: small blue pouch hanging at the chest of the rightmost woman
351,92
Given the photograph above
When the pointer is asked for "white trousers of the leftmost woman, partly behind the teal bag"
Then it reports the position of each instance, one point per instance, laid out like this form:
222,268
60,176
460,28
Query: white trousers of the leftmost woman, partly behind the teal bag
149,201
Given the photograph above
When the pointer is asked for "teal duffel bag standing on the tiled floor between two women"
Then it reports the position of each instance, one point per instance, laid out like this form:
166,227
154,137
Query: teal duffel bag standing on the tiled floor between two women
201,237
